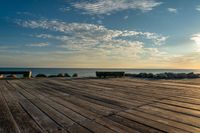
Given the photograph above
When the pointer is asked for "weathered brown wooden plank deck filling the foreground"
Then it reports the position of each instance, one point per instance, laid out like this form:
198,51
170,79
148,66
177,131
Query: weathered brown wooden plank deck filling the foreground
99,106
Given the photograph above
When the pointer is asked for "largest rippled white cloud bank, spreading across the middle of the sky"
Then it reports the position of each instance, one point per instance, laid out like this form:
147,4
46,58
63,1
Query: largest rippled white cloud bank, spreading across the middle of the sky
96,41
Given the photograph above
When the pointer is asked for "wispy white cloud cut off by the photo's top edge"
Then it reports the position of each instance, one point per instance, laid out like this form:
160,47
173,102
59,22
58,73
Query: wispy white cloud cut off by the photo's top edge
110,6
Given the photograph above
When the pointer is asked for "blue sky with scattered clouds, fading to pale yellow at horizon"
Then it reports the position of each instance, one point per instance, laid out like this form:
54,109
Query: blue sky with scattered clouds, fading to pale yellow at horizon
162,34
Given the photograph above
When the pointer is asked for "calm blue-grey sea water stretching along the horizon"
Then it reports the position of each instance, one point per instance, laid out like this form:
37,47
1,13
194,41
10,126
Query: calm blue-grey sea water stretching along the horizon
91,72
